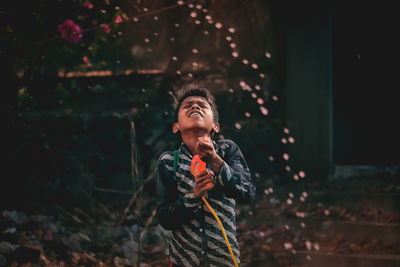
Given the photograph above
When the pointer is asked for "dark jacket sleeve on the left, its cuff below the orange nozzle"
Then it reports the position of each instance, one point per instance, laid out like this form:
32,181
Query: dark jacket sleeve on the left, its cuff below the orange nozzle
172,210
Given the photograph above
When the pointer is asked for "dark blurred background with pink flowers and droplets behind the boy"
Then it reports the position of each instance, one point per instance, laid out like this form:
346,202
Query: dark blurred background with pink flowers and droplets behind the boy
307,91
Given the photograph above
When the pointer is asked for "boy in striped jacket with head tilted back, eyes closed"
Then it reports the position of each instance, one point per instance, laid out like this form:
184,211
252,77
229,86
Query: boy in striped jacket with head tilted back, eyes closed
196,238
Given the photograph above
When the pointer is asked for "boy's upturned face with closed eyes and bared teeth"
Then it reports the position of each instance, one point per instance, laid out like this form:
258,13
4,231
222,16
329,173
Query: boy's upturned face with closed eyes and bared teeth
195,113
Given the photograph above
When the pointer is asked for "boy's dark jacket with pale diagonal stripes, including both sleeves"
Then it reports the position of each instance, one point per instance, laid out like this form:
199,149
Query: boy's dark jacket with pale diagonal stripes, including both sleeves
196,237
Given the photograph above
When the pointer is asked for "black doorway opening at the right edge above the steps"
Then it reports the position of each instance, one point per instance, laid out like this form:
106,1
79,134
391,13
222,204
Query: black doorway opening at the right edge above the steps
366,106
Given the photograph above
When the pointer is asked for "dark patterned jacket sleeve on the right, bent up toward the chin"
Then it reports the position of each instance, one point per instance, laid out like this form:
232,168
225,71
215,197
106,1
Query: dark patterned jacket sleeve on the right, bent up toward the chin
235,176
